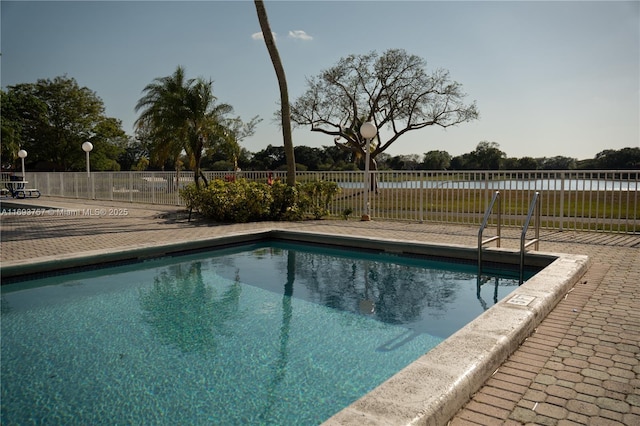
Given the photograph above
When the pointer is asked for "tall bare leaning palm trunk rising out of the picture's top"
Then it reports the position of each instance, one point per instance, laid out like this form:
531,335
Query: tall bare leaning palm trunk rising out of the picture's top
284,92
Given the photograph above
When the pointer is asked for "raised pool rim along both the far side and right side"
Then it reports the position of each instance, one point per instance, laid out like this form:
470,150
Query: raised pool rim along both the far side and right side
434,387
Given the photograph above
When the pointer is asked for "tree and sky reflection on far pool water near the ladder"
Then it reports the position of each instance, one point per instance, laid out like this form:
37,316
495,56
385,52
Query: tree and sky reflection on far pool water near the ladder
421,295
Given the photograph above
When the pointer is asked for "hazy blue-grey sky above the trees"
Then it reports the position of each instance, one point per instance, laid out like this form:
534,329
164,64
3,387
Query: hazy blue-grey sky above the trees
549,77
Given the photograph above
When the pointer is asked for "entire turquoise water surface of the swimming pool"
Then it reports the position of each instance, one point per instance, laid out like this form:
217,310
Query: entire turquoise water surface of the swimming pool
271,333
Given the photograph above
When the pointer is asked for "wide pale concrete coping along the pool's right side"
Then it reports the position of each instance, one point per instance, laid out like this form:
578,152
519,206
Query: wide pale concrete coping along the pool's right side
434,387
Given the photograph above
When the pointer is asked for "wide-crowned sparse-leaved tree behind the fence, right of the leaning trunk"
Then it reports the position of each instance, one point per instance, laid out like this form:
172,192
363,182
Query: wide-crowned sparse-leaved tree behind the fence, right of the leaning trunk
392,89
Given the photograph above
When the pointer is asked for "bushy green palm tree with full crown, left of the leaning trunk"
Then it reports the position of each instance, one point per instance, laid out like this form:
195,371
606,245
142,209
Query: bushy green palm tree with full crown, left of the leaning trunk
181,115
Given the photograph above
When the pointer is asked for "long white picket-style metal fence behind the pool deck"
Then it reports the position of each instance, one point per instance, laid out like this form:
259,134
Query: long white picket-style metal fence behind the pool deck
569,200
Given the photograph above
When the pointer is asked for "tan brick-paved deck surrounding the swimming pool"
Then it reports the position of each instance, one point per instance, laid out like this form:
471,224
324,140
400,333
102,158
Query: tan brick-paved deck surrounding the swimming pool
581,366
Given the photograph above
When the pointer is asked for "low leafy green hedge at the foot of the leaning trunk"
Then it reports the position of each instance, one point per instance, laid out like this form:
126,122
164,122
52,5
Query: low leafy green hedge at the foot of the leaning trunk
241,201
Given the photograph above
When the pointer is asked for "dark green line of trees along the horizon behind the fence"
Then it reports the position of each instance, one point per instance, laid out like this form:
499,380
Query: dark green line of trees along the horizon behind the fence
183,126
